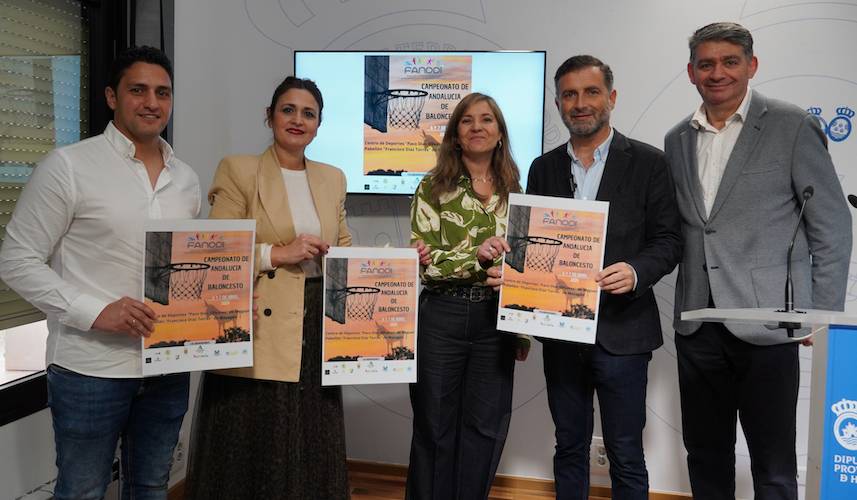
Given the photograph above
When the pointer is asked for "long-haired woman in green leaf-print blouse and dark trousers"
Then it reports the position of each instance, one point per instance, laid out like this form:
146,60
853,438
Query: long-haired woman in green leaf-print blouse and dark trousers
462,400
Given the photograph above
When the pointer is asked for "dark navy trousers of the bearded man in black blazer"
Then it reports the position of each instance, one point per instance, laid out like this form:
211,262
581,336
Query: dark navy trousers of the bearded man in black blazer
573,372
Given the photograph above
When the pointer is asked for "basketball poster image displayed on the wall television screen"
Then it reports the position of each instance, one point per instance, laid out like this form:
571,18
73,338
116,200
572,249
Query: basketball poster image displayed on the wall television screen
408,100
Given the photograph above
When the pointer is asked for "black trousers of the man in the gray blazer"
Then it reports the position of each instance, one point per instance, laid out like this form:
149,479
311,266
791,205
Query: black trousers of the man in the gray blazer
722,378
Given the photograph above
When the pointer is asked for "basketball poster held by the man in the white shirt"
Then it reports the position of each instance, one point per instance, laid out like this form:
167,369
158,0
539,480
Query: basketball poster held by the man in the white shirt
198,277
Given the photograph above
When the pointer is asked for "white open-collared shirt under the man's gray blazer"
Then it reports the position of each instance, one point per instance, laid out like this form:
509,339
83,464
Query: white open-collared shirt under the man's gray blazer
714,147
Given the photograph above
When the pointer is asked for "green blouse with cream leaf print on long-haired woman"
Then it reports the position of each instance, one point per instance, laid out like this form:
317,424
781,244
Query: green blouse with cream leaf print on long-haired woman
453,229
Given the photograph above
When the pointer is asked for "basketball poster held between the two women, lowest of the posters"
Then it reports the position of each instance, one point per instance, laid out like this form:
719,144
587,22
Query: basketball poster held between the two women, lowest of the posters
370,316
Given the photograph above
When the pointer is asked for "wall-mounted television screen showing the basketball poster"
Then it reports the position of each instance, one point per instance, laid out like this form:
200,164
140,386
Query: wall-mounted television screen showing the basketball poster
385,112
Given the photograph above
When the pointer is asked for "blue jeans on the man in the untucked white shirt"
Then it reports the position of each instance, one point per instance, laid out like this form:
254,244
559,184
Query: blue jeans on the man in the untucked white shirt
91,414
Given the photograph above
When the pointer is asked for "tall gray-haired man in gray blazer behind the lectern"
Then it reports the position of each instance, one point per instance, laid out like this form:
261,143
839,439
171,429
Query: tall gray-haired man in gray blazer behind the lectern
741,164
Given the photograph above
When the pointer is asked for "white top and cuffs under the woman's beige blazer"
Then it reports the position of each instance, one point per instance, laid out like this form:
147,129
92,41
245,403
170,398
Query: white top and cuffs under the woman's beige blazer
304,217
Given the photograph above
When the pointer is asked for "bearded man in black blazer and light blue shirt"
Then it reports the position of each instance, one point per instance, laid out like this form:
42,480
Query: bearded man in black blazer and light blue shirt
643,244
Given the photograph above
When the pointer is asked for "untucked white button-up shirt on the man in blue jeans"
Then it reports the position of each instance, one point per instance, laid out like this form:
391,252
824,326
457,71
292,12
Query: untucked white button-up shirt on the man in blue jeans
75,244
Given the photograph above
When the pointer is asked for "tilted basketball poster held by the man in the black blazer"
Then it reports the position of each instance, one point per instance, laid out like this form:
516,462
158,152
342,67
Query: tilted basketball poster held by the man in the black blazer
549,287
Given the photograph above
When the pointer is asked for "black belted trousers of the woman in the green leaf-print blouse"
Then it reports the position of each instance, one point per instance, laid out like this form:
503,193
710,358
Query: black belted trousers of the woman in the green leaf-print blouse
462,400
